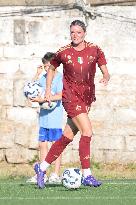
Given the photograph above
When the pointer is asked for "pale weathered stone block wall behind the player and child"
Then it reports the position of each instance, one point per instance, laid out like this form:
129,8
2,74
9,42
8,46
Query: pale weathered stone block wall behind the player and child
26,34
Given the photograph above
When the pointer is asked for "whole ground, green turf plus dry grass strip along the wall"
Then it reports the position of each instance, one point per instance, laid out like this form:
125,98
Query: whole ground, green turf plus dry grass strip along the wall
119,190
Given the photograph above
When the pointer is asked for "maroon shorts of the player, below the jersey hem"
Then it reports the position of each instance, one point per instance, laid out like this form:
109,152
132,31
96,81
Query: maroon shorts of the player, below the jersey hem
75,108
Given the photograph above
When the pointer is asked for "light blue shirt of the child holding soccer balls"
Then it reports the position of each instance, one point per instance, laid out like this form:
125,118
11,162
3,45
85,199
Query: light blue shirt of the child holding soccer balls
52,118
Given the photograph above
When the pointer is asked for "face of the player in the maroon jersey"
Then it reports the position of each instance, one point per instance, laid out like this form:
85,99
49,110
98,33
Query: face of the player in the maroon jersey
77,34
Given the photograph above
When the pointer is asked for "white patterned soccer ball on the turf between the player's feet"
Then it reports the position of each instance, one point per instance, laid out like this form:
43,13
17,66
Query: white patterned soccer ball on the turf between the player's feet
71,178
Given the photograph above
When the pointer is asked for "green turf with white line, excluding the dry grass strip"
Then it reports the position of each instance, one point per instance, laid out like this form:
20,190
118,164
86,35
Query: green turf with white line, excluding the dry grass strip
112,192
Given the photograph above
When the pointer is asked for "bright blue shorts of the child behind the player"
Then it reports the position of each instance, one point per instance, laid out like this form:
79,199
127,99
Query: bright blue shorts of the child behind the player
50,135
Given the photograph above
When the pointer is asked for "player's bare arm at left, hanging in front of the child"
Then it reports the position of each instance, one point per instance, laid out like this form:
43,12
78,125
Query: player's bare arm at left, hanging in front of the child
50,75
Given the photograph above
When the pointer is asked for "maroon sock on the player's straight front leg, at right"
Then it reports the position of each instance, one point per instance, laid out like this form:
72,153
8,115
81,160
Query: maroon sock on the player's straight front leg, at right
84,151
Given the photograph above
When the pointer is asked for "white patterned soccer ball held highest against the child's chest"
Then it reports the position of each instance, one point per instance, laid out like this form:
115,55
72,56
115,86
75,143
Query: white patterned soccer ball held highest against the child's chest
32,89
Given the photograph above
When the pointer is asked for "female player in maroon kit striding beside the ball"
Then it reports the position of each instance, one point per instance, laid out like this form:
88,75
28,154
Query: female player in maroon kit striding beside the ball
79,60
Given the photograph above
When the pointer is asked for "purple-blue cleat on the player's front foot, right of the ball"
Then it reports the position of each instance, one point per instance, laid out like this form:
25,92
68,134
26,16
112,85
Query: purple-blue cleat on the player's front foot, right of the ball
91,181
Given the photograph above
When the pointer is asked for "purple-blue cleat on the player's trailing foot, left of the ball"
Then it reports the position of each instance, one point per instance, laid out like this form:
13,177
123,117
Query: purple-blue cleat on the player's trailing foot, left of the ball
40,176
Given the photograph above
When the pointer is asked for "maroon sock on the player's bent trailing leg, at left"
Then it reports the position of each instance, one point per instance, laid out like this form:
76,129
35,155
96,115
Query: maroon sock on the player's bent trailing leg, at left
57,148
